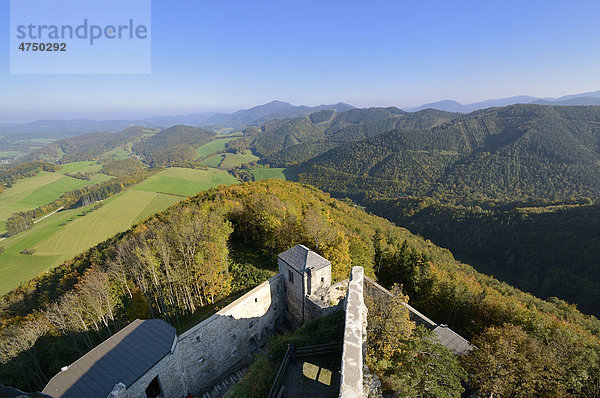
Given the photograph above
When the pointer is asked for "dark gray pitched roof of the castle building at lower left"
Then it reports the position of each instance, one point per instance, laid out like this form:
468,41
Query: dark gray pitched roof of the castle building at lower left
124,357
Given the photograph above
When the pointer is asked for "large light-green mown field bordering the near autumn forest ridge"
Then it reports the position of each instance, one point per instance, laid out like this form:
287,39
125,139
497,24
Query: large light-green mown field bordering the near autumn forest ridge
67,233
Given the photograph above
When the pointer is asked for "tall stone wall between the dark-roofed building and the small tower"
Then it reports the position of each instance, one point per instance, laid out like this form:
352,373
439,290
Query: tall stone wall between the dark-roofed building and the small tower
201,354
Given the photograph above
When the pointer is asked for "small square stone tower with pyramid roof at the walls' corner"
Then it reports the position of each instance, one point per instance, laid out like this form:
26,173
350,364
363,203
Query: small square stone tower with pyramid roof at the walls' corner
307,283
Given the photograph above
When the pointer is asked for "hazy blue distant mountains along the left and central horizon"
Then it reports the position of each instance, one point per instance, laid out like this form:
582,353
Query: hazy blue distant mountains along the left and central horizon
249,117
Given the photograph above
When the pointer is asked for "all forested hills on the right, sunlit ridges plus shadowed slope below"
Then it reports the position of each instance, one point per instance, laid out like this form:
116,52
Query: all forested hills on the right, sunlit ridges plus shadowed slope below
489,159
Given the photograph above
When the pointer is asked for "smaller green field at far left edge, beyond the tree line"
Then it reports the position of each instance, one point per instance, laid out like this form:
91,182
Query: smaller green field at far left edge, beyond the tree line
32,192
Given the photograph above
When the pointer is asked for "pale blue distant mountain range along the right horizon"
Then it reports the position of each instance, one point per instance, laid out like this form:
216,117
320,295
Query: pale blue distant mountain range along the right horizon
590,98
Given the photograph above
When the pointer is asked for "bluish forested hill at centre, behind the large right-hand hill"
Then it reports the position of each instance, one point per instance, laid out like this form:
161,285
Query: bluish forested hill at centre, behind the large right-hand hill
305,137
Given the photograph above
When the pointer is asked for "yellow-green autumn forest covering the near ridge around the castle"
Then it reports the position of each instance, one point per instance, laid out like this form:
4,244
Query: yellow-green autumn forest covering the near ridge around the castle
178,263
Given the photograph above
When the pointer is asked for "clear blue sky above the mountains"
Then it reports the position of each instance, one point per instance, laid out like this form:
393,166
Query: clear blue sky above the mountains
226,55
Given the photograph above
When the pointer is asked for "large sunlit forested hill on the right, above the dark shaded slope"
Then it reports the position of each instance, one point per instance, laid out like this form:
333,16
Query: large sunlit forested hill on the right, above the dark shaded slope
499,154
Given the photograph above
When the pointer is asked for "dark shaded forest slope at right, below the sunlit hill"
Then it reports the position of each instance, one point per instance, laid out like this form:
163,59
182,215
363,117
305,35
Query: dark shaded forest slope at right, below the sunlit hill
548,250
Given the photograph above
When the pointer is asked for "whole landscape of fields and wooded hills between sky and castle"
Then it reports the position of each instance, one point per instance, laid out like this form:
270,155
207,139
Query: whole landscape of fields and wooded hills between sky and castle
512,191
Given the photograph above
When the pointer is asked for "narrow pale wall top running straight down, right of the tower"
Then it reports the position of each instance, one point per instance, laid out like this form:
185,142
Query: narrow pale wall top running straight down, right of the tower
355,334
